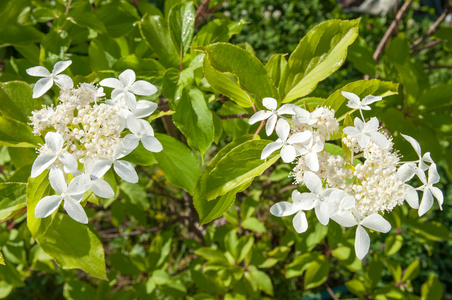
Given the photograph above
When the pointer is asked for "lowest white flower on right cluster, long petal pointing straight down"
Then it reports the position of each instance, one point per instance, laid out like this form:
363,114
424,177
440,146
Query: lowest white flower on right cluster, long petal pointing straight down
362,240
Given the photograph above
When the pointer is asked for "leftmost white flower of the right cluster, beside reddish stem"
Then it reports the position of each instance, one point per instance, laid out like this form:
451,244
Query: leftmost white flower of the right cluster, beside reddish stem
272,114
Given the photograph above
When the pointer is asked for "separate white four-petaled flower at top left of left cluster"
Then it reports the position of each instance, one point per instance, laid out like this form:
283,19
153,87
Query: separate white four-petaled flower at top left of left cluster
44,84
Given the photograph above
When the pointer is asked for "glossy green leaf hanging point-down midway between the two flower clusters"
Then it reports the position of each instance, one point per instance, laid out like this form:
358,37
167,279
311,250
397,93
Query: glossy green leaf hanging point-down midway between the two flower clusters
194,118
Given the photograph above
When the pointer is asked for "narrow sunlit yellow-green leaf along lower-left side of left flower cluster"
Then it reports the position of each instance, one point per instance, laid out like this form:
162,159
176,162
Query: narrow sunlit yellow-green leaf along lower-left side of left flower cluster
37,188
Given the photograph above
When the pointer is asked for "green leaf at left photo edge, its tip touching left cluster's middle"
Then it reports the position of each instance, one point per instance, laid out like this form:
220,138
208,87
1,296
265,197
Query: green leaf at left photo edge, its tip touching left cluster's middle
17,134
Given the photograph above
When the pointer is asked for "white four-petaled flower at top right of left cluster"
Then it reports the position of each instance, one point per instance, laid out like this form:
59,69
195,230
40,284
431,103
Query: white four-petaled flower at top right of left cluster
126,88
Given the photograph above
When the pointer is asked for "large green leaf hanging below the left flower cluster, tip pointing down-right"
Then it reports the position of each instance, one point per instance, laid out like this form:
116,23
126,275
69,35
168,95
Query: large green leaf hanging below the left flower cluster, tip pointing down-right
74,246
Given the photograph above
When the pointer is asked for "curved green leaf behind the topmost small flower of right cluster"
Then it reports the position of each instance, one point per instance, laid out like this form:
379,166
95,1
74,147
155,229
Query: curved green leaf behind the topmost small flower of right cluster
361,88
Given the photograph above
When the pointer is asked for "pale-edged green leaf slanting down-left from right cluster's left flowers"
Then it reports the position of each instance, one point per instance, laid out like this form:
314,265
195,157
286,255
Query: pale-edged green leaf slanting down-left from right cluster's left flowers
240,165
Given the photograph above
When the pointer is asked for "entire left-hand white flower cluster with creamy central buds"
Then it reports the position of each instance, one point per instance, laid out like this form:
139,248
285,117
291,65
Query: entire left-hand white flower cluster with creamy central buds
85,129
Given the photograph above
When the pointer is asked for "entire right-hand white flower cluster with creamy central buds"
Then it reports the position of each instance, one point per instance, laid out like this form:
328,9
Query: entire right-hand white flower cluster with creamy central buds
354,189
